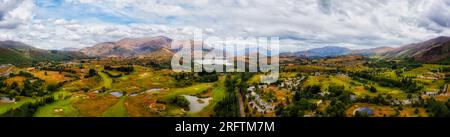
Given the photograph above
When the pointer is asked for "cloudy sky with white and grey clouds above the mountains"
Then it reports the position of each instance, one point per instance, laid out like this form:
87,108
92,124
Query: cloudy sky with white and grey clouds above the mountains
300,24
